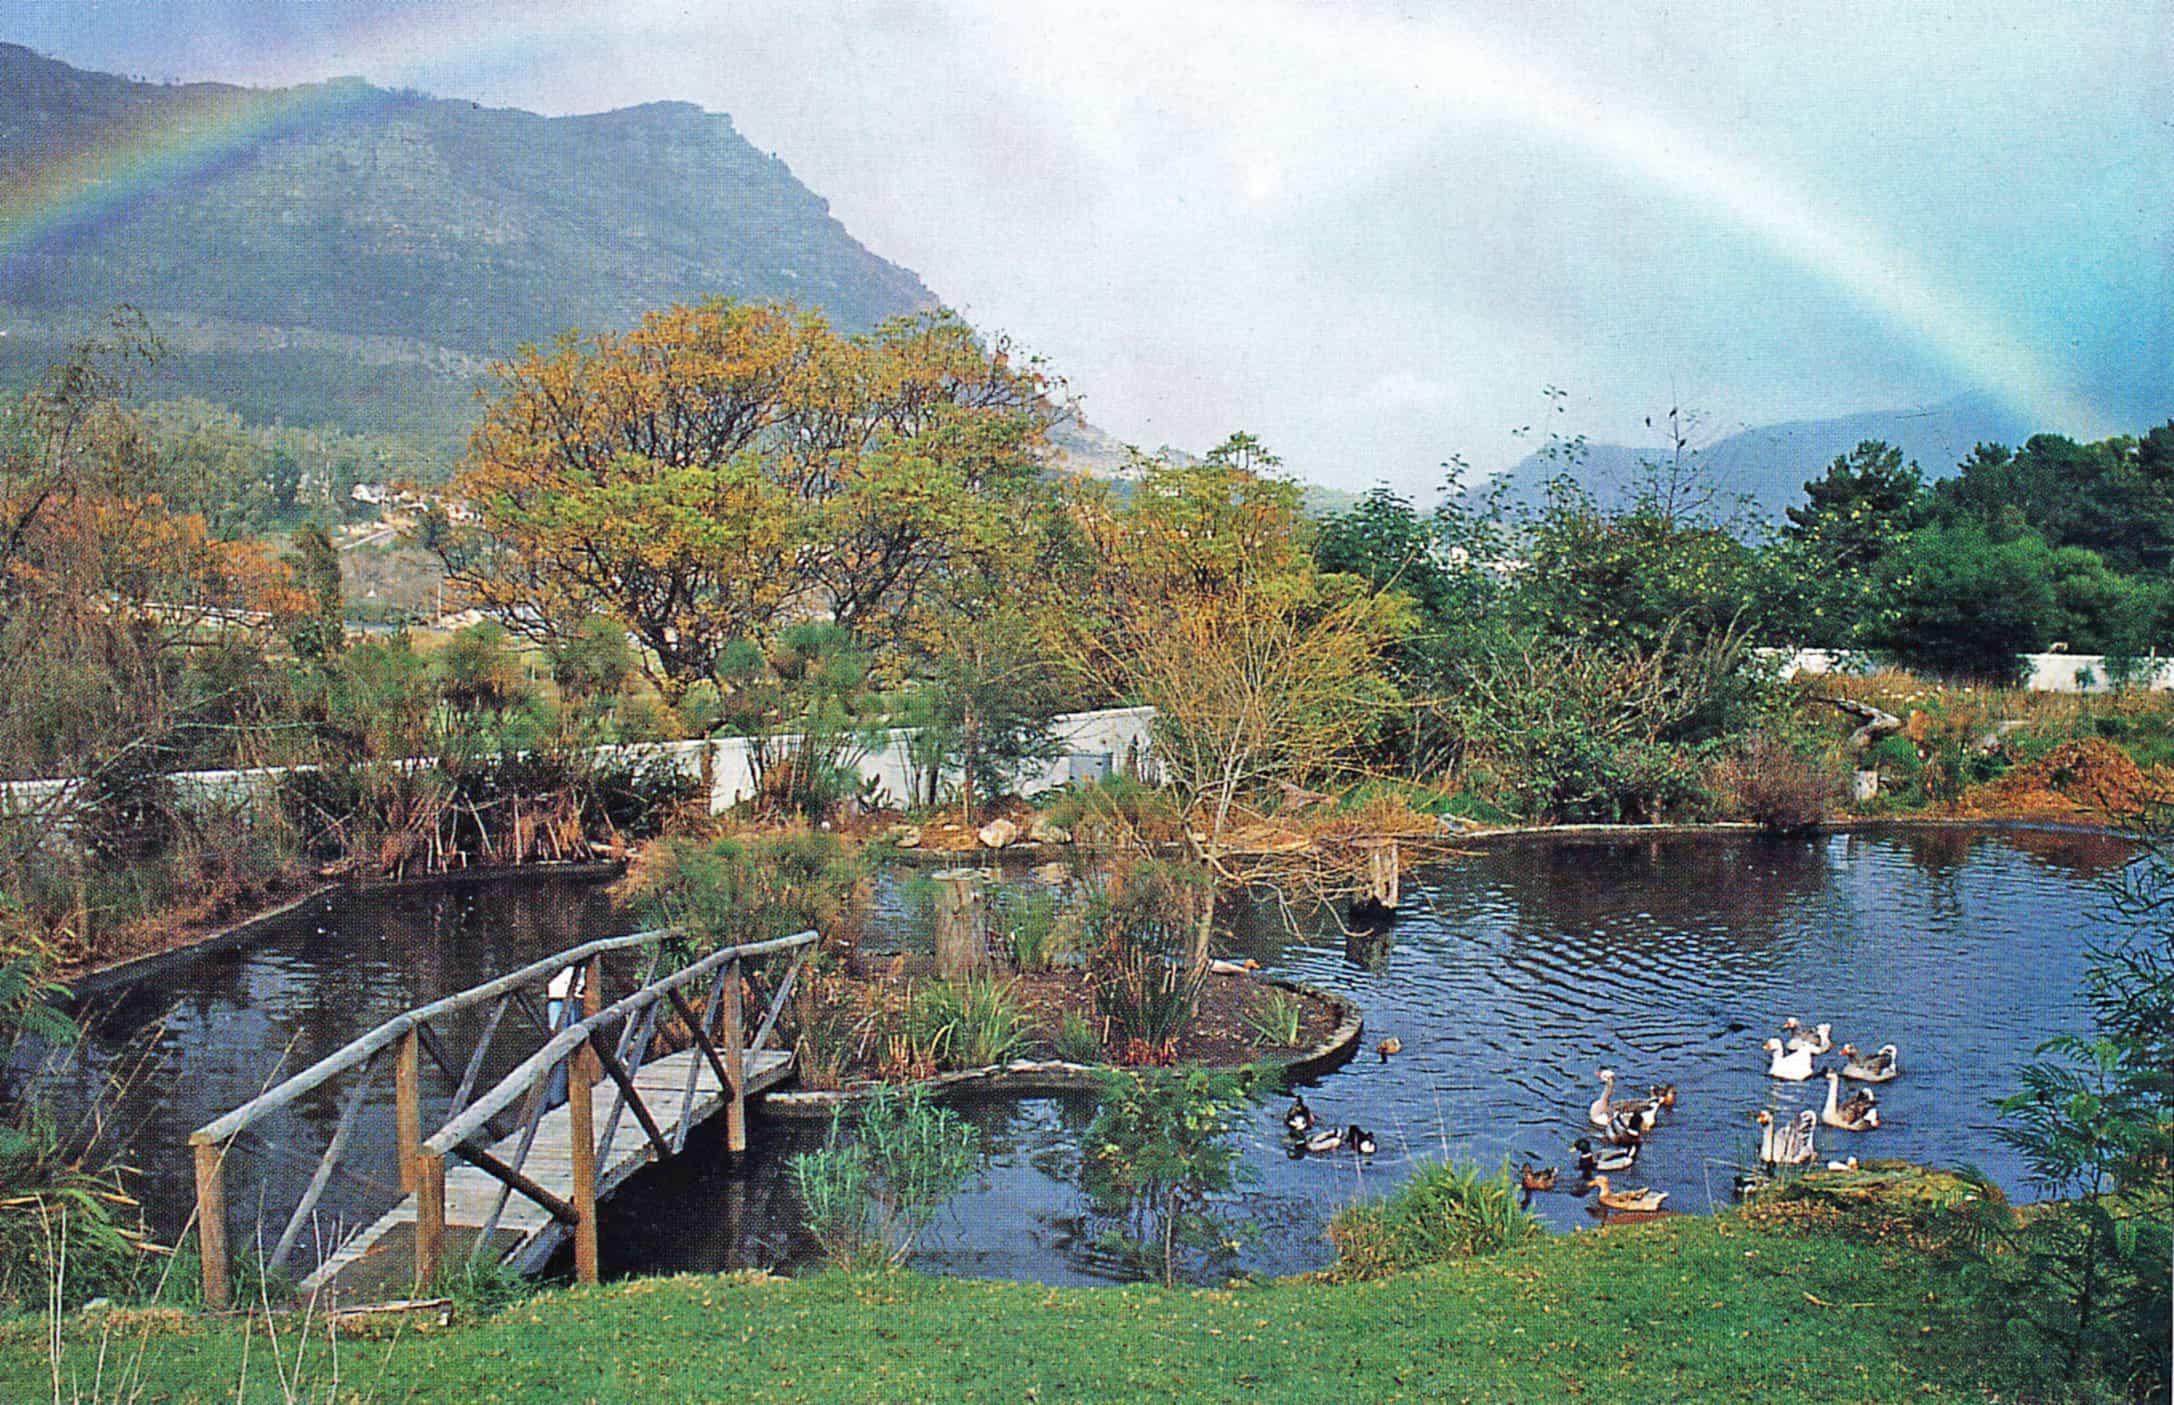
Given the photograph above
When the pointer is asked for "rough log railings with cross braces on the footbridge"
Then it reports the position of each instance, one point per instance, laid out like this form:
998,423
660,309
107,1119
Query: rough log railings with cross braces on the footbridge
582,1043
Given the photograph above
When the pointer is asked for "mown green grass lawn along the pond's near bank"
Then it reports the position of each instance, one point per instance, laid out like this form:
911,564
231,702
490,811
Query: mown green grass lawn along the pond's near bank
1675,1310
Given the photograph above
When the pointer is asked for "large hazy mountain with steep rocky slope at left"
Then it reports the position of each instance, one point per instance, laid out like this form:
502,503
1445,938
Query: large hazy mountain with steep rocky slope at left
351,256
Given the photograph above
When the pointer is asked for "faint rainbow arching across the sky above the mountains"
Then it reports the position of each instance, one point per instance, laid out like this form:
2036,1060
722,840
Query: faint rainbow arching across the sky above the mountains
1445,69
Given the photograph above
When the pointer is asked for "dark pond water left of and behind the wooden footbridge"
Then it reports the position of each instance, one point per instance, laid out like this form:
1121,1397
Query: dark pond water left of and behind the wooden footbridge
214,1032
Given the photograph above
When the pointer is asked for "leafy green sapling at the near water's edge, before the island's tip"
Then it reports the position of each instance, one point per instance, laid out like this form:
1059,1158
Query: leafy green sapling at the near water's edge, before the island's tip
1162,1147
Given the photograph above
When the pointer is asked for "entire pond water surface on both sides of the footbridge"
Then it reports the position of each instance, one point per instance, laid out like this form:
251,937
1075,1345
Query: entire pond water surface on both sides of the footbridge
1516,973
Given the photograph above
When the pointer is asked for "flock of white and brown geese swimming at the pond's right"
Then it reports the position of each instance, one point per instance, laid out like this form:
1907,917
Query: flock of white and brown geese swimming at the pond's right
1623,1126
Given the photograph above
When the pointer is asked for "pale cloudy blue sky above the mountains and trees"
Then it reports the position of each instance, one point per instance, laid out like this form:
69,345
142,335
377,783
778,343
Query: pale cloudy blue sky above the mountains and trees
1375,234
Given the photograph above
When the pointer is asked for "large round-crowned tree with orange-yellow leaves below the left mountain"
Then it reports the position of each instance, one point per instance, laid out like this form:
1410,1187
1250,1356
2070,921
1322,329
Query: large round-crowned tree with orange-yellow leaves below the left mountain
727,471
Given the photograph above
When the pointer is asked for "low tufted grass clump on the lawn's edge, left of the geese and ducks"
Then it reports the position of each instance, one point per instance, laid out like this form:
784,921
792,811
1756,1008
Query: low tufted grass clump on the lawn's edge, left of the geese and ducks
1442,1215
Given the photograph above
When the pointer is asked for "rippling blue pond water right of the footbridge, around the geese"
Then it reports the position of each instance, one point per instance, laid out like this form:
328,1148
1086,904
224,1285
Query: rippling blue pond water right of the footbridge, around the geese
1523,971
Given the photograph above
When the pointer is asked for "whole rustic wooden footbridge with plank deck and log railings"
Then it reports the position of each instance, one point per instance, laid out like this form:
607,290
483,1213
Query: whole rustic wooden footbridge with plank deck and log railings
510,1173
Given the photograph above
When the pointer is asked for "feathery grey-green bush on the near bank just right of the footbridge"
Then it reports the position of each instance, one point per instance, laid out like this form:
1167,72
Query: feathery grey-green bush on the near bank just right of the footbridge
888,1167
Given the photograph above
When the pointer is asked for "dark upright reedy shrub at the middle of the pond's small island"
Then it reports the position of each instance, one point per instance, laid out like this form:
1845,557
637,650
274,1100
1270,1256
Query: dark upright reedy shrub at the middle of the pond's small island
1142,938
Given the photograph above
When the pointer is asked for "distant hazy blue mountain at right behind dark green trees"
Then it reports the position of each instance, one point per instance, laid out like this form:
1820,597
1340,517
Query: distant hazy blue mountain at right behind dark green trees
1771,464
